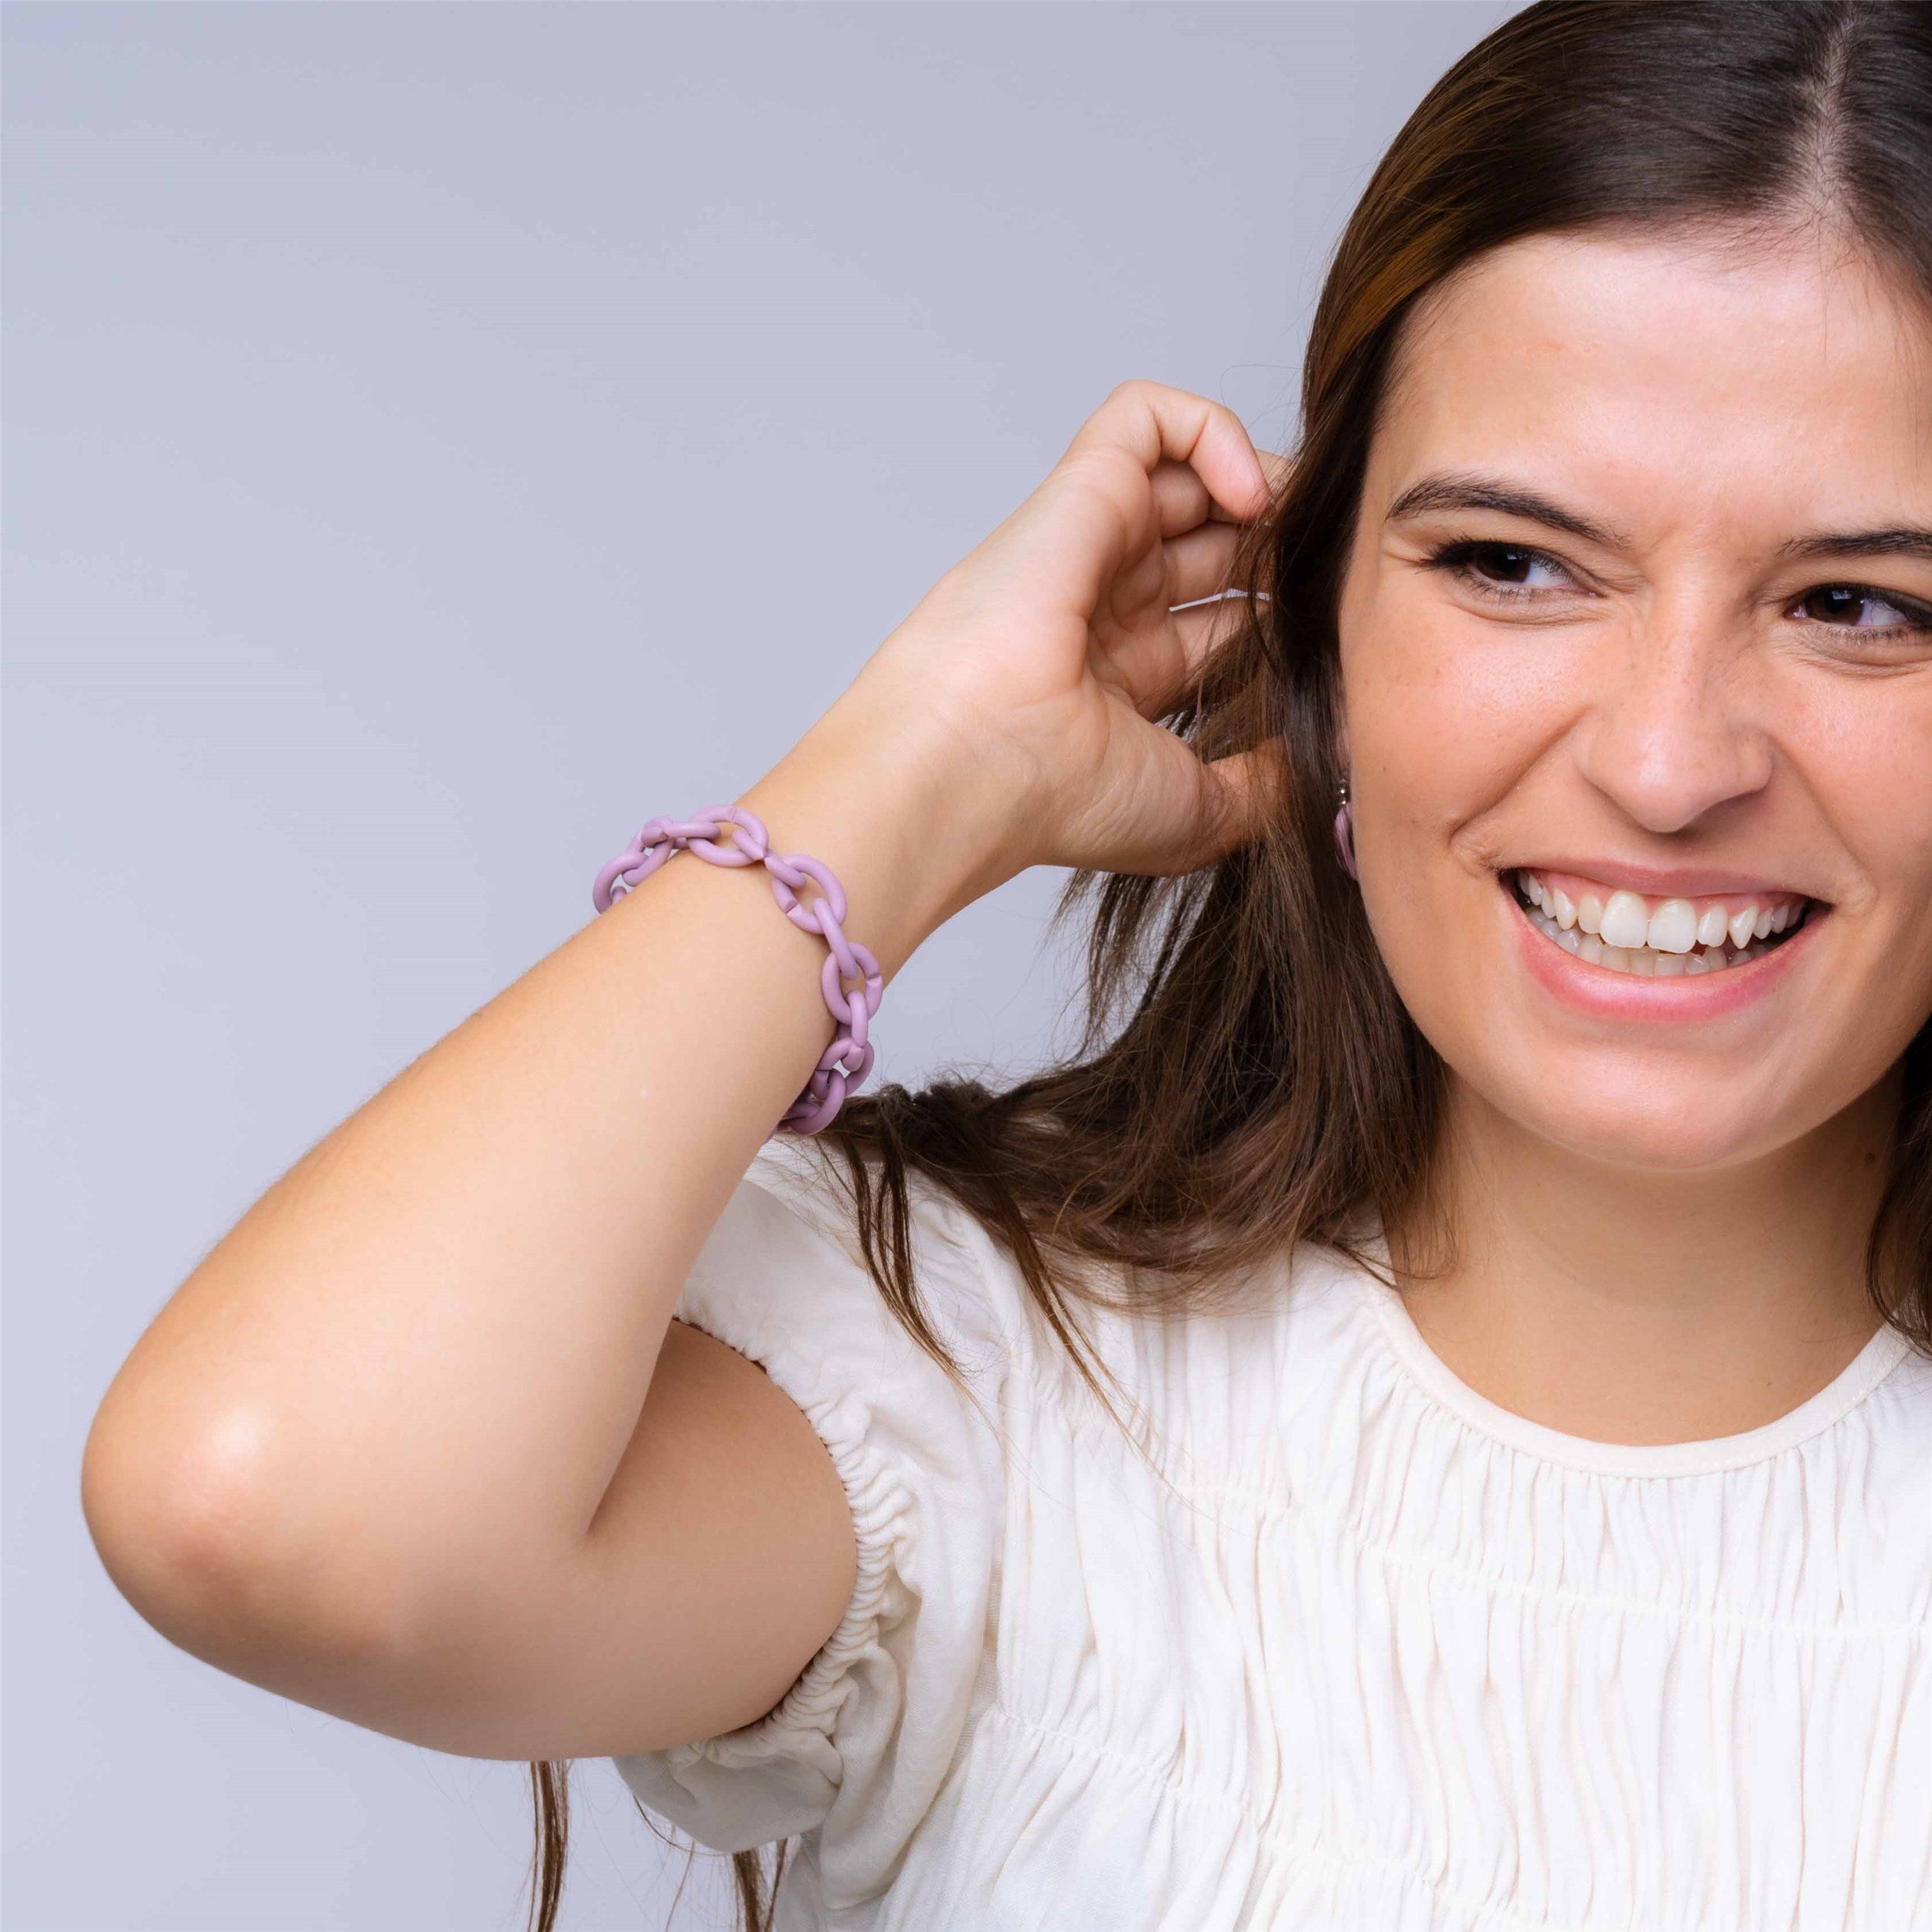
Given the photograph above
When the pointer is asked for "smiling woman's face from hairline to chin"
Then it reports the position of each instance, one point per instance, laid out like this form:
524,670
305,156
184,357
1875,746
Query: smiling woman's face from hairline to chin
1637,669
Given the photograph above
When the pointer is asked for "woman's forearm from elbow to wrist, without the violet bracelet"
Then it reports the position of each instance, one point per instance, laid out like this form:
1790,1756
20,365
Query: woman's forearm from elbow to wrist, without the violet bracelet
422,1353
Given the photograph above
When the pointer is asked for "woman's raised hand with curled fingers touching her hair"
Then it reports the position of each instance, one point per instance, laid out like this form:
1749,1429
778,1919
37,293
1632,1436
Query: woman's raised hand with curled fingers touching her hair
1056,644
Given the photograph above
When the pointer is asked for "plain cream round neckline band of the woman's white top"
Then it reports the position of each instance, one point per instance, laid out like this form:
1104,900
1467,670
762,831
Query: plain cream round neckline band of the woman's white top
1817,1413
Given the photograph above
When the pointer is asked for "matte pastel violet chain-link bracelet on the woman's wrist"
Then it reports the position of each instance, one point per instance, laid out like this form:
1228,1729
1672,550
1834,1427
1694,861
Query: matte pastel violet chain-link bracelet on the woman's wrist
845,1064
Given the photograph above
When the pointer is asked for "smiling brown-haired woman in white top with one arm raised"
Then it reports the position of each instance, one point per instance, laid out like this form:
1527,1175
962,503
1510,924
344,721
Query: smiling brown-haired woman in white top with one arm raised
1423,1425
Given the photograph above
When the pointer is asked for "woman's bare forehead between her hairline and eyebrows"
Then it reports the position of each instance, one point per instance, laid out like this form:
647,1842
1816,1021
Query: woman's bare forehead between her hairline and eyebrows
1676,376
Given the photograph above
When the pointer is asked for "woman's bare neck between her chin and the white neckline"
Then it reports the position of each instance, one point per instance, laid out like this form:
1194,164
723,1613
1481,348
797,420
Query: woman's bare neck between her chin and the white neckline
1651,1309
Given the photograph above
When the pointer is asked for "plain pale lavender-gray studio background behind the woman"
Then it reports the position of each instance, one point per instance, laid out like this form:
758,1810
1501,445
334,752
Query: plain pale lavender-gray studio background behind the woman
441,438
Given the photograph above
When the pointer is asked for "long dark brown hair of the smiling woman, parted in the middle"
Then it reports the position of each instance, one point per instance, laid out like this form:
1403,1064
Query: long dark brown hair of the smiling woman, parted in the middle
1247,1077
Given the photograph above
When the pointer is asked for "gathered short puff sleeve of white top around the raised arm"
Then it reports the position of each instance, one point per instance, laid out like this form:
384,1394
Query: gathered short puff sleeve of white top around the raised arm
861,1744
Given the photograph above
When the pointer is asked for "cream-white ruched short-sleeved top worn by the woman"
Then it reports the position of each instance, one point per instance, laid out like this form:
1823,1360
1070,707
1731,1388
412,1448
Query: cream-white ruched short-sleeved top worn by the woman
1351,1649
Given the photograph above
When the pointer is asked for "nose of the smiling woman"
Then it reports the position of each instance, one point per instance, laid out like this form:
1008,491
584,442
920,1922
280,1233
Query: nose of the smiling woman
1676,729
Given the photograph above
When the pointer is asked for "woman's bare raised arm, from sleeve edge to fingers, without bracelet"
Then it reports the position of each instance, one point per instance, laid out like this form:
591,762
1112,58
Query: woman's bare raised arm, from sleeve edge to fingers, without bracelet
418,1442
